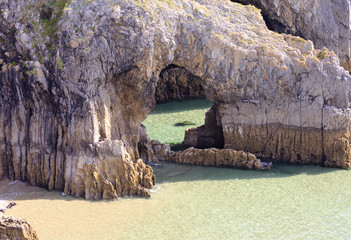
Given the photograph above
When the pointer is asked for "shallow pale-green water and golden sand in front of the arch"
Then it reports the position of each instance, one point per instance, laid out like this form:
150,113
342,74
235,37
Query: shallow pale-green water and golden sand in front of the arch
191,202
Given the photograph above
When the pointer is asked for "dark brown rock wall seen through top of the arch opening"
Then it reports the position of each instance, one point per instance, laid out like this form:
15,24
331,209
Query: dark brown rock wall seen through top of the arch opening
178,83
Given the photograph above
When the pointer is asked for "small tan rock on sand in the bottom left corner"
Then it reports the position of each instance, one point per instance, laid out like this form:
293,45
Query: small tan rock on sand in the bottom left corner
12,228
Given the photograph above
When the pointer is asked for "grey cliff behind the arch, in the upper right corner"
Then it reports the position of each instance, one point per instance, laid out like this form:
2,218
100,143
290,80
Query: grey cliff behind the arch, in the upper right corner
326,23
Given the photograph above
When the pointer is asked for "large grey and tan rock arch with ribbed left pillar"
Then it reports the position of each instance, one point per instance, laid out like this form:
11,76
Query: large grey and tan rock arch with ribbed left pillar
79,77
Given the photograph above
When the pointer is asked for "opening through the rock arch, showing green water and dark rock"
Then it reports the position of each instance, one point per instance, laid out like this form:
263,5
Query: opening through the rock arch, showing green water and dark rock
178,118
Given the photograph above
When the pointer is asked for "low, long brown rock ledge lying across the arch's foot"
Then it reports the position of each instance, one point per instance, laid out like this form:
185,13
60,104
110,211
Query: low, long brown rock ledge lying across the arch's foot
218,158
